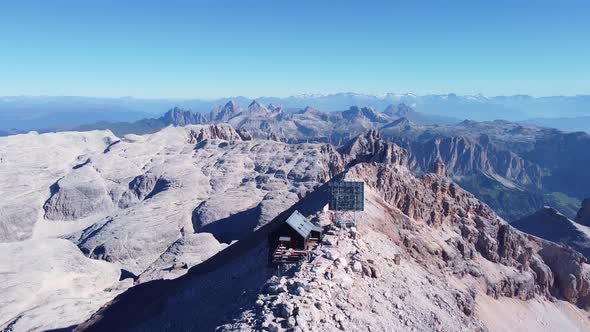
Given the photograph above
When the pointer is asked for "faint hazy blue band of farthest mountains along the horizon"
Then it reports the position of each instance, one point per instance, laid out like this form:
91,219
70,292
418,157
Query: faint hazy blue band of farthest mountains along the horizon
24,113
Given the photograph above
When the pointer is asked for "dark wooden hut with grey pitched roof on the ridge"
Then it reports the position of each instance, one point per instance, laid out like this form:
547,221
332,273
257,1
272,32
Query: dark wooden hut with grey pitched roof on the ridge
291,241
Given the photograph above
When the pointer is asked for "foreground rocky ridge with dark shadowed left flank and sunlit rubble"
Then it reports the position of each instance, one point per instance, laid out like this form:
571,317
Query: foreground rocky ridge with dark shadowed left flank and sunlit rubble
425,255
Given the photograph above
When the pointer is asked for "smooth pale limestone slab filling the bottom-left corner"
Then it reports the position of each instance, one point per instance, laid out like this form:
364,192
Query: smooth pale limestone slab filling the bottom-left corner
47,284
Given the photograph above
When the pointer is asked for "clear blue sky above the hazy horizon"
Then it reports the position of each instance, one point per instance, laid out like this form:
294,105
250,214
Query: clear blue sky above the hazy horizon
215,48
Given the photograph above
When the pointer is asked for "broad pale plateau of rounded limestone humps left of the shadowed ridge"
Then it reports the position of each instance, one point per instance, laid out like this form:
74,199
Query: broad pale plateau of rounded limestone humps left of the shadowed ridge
128,199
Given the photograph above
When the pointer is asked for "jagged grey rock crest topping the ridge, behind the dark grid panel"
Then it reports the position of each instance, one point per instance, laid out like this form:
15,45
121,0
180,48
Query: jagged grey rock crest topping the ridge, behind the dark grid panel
369,147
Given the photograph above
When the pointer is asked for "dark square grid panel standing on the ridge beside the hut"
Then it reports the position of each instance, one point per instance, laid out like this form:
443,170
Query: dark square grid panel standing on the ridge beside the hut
347,196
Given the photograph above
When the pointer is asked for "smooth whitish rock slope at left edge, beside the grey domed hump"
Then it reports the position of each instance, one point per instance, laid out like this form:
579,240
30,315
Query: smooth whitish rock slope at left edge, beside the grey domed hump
30,164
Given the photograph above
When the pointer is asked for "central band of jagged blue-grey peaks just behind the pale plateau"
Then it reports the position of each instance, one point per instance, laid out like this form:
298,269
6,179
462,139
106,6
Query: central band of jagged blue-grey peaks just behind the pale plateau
289,125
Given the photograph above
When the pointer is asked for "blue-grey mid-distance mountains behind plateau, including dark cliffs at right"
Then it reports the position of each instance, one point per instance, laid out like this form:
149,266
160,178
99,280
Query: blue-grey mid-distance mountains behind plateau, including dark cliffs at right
515,168
